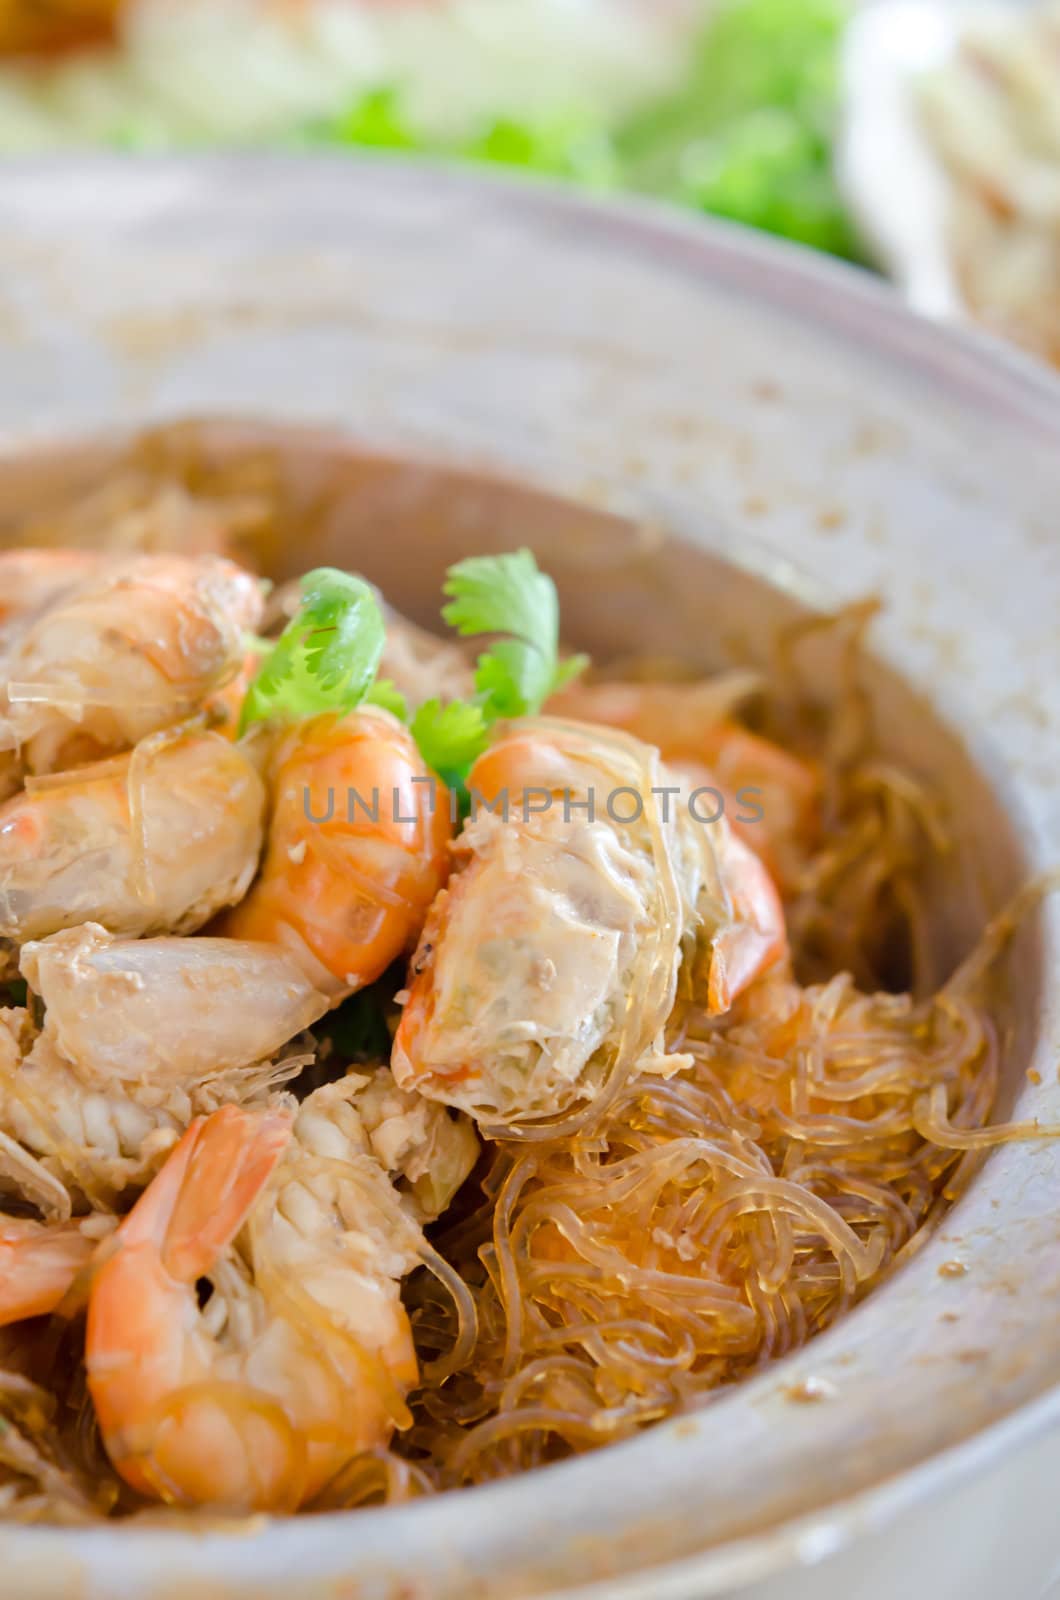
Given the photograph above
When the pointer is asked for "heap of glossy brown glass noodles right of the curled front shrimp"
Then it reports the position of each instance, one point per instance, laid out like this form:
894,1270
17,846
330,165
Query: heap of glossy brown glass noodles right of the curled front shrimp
710,1225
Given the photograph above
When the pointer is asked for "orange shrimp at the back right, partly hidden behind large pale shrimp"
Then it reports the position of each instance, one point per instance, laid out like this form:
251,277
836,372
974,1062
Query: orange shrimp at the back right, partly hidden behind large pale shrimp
773,798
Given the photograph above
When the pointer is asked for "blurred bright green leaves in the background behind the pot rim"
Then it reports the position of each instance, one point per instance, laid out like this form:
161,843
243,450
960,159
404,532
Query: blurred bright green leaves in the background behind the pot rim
747,134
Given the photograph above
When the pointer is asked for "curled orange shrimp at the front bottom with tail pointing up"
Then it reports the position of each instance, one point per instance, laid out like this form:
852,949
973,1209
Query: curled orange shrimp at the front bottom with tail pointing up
300,1358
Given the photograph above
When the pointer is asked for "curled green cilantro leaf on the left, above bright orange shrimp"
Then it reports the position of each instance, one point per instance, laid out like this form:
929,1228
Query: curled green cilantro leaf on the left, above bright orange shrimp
326,658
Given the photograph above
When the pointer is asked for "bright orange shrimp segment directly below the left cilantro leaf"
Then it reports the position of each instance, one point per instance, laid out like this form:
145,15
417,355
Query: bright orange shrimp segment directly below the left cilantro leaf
356,850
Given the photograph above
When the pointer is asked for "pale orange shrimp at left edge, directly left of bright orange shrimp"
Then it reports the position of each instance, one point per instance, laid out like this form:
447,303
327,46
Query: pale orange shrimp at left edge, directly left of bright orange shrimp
151,842
